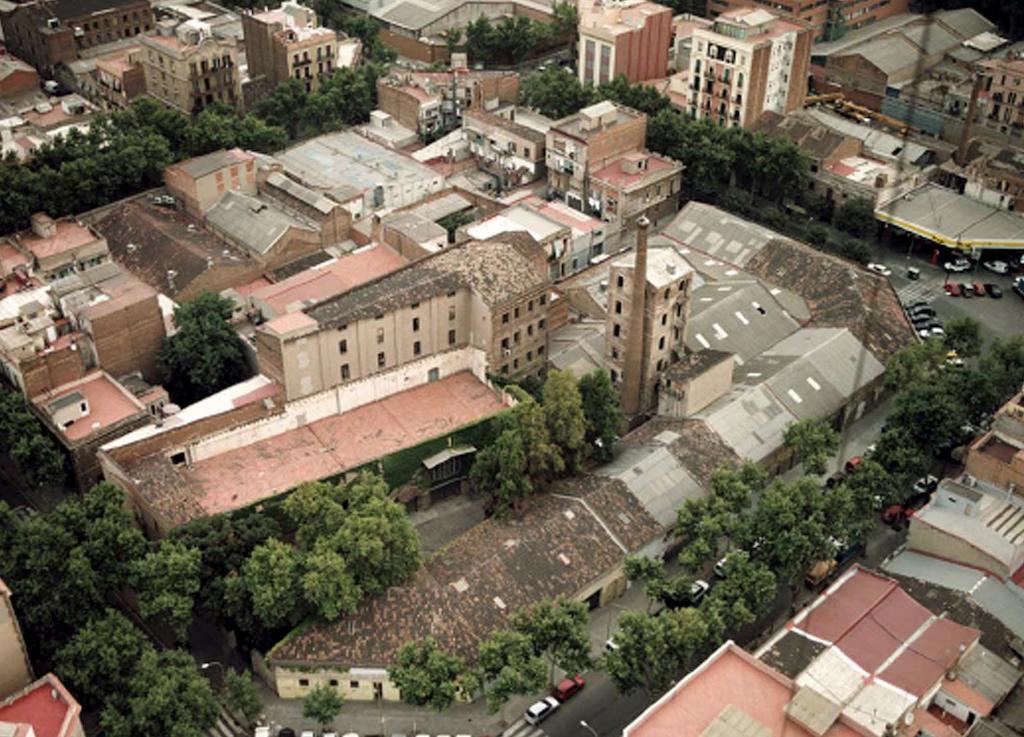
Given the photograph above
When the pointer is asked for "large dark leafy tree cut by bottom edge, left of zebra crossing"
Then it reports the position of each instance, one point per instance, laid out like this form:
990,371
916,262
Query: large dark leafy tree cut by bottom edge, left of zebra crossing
167,696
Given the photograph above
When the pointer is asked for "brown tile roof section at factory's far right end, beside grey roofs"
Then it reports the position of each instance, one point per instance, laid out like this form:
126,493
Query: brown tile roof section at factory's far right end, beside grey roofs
839,294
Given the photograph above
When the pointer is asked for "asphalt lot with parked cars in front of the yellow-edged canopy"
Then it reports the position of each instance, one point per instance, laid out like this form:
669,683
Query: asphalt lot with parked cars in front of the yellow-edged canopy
999,318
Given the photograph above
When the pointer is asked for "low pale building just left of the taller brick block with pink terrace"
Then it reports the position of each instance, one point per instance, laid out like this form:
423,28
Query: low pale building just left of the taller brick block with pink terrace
514,153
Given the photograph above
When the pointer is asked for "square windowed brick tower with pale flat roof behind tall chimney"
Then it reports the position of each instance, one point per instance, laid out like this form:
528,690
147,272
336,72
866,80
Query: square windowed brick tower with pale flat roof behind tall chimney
666,310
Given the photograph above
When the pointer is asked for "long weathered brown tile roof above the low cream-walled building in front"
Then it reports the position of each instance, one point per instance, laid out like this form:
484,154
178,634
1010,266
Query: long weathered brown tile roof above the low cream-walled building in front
473,587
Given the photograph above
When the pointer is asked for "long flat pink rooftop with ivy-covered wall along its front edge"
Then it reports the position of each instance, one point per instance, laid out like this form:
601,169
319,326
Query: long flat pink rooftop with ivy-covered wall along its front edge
247,475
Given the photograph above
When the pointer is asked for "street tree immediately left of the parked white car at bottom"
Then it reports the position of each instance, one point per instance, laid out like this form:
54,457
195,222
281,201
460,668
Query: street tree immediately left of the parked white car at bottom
509,667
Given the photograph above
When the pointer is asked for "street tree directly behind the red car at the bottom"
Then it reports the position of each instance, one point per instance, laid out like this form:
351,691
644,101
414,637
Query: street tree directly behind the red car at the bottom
559,631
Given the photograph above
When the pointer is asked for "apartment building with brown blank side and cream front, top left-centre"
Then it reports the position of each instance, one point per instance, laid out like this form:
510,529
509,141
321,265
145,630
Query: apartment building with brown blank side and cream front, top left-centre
288,42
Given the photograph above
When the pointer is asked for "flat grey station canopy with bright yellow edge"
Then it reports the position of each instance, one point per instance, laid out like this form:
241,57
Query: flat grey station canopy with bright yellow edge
950,220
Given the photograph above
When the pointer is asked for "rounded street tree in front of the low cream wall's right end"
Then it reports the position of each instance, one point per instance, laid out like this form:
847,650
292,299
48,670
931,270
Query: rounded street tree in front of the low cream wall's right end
426,676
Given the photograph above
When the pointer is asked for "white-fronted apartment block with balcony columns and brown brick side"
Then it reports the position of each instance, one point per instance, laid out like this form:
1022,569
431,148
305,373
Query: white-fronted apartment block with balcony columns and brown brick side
748,63
